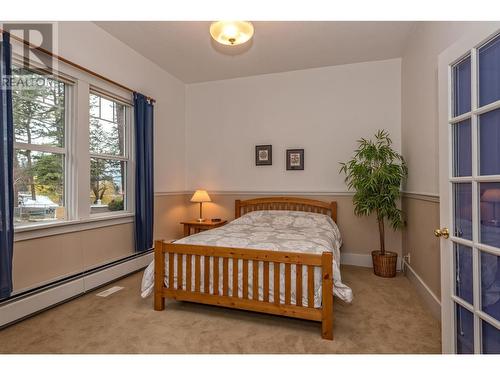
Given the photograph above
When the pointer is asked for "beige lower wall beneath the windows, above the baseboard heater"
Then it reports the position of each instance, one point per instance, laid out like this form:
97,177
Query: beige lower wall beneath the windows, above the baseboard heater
42,260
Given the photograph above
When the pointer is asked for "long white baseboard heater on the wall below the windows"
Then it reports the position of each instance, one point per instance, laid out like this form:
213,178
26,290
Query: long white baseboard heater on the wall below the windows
25,306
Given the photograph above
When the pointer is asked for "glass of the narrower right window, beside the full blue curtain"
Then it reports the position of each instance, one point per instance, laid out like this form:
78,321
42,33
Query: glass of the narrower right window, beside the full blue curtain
109,154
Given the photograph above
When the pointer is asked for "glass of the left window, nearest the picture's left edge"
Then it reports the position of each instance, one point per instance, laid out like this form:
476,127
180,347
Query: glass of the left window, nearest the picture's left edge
39,111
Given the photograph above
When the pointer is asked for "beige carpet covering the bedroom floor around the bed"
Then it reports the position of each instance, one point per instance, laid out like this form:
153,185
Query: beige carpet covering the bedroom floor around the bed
387,316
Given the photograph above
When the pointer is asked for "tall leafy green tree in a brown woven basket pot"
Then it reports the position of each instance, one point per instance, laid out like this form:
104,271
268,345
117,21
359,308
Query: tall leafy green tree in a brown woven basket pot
375,173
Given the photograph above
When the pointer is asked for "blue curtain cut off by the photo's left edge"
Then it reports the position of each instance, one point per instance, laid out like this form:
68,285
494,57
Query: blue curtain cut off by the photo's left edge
6,170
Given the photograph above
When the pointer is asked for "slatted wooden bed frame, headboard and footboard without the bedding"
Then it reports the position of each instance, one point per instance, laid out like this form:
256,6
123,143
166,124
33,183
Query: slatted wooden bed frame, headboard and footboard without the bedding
192,293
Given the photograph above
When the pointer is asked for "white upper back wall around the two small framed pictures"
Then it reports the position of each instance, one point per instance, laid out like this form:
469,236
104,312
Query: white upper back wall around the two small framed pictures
322,110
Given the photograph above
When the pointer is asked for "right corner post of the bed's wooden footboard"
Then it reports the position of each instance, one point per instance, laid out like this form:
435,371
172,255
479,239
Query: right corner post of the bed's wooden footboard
327,298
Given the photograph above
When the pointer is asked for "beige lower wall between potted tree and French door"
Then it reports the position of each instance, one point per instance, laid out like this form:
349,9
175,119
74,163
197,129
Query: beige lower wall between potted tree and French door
422,217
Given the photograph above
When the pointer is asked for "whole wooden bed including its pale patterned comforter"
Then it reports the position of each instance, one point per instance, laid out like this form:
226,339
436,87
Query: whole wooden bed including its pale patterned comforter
234,265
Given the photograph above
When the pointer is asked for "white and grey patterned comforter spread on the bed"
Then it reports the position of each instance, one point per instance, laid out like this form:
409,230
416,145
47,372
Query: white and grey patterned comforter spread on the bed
293,231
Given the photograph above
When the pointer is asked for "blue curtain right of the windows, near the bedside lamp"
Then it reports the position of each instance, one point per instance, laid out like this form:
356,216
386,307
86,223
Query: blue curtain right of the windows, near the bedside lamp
144,205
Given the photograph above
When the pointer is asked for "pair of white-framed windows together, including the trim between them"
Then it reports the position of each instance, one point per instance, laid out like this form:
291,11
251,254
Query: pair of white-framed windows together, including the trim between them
60,175
